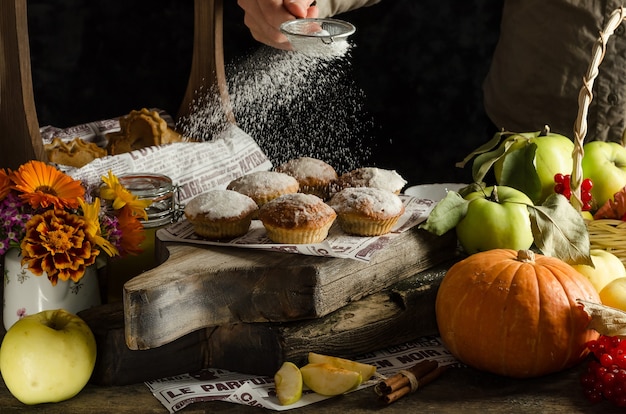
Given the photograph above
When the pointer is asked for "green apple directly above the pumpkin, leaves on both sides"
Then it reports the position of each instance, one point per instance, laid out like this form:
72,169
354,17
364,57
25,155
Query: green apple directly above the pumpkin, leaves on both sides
496,218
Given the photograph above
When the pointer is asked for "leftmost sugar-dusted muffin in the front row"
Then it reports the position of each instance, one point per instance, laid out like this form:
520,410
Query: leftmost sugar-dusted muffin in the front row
221,214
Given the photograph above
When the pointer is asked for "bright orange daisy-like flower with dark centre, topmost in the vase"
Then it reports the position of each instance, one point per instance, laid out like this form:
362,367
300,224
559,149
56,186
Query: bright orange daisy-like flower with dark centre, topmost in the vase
43,185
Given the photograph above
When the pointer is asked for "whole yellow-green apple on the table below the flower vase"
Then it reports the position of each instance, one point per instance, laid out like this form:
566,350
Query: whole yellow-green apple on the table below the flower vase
47,357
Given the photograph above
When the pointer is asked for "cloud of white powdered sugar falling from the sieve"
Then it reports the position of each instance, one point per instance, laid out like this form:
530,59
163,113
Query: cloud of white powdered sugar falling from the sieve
293,104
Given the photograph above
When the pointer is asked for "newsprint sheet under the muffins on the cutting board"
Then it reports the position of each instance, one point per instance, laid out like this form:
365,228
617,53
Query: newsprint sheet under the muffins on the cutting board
337,244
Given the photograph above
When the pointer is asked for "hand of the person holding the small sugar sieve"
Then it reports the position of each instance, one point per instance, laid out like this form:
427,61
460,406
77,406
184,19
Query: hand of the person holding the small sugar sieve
264,17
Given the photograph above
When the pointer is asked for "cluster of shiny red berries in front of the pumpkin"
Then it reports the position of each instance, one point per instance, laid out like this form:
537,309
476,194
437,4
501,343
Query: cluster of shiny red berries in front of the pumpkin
605,377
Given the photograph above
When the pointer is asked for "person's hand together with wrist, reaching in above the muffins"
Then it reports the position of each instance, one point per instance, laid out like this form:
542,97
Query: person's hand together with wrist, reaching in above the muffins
264,17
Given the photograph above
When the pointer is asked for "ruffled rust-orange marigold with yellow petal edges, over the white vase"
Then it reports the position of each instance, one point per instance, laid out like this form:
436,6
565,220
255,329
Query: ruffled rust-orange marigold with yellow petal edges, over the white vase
56,242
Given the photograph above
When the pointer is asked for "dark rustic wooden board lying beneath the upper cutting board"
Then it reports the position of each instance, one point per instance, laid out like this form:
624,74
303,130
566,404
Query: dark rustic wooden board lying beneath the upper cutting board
402,312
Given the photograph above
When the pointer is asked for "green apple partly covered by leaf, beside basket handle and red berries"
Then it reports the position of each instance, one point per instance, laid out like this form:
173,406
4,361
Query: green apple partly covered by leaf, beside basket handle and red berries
531,161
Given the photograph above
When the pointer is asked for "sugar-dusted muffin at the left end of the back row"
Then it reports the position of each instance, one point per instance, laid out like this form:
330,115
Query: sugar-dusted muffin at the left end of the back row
264,186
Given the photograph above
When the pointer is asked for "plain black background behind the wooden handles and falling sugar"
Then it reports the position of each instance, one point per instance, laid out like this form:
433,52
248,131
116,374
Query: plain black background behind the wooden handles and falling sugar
419,64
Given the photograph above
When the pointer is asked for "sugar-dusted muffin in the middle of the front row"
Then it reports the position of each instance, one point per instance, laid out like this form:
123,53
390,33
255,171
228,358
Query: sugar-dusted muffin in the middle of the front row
297,219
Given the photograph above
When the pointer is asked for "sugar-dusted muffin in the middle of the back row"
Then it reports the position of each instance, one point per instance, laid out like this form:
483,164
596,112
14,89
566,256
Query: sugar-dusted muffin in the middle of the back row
314,175
